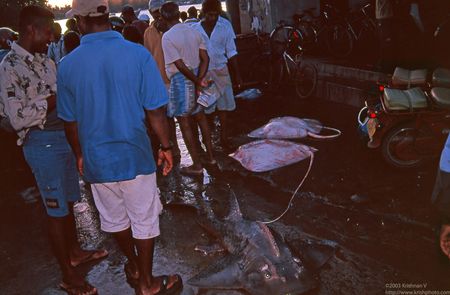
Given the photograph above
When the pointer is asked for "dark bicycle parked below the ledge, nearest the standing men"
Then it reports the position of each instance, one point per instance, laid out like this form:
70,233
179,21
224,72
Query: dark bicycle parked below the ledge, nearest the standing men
287,58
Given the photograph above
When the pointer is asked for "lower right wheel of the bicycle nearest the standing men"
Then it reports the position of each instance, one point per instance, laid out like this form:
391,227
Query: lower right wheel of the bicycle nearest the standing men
305,79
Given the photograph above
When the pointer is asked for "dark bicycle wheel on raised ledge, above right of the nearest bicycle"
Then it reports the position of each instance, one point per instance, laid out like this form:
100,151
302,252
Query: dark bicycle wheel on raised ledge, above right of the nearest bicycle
339,40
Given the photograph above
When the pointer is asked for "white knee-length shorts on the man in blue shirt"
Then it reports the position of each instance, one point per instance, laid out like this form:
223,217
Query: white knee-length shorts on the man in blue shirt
128,203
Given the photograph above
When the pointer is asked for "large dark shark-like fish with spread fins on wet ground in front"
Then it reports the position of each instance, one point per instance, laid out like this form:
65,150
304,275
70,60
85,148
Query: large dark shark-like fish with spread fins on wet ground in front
259,261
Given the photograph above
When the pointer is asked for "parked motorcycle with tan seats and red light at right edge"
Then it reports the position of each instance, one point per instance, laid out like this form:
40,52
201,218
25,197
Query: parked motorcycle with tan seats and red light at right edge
408,125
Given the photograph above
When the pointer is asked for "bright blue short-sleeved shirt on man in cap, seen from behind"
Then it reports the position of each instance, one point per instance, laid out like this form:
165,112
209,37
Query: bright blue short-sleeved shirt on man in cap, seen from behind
105,85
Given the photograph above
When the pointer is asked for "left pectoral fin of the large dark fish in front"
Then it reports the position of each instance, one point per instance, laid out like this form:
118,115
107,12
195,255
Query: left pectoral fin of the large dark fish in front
221,274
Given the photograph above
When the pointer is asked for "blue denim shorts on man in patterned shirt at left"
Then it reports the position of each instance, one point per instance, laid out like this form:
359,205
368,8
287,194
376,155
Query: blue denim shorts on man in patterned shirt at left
54,167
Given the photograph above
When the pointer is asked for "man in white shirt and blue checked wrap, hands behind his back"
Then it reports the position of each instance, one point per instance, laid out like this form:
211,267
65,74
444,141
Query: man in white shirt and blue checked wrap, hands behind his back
186,62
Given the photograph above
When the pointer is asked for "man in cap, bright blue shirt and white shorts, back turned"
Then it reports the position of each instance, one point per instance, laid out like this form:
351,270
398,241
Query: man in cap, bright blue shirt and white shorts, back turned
107,88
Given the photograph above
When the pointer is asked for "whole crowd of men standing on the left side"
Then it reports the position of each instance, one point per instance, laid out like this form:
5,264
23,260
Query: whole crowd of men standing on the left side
77,111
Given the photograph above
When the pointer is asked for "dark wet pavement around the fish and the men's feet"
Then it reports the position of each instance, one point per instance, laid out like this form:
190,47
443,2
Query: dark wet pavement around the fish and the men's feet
380,218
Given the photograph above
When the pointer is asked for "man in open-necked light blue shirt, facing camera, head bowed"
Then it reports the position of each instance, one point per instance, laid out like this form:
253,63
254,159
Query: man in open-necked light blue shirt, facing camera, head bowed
219,38
